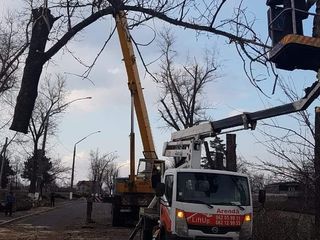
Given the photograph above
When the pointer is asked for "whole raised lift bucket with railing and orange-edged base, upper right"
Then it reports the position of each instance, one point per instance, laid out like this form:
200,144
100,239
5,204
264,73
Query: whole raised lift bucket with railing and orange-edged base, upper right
290,48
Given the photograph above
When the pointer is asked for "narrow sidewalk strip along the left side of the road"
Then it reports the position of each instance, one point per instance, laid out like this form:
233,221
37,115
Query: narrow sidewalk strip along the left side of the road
33,211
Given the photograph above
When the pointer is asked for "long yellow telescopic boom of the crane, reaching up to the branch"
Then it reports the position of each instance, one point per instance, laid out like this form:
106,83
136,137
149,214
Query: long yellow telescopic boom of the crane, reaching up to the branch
134,82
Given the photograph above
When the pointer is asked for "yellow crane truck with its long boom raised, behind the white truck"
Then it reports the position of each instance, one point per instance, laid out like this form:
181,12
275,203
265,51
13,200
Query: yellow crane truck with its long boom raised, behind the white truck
135,191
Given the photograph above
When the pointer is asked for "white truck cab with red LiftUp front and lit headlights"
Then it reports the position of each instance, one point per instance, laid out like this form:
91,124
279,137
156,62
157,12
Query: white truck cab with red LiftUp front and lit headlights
206,204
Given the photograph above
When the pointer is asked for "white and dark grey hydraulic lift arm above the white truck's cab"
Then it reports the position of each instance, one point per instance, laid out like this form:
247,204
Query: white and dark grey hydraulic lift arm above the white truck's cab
186,143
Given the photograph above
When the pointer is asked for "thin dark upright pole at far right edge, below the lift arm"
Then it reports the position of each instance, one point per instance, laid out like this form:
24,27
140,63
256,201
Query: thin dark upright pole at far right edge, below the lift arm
317,172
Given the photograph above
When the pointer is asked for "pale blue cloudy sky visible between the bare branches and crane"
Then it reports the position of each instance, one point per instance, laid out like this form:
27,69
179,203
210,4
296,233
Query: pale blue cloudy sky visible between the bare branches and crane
109,109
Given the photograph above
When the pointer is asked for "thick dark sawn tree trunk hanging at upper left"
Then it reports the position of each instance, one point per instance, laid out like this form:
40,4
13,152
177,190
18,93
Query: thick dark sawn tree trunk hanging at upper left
42,24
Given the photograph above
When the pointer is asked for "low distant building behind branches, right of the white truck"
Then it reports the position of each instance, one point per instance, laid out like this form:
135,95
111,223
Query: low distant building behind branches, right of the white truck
292,189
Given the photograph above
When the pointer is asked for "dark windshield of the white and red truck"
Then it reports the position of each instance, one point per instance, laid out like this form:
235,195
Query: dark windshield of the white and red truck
215,189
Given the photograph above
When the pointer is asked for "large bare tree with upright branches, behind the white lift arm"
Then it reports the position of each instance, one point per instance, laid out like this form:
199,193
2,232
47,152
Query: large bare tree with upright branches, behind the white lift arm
182,87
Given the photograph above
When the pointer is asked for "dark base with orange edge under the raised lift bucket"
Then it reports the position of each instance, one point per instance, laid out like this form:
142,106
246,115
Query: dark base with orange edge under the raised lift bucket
296,52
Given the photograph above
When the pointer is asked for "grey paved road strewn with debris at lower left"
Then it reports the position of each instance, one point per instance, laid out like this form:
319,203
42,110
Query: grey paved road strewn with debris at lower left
66,222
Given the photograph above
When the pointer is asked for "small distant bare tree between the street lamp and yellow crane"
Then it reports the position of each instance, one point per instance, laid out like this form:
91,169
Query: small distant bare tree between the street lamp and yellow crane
101,168
